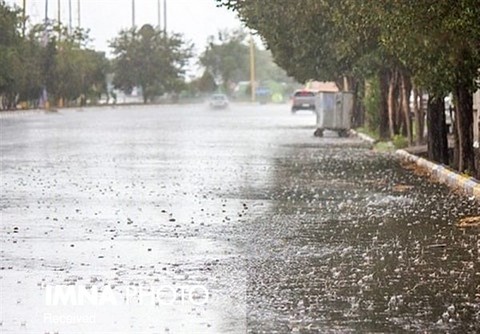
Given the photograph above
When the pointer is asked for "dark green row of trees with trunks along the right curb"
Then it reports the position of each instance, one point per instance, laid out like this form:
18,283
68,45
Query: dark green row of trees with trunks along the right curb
427,46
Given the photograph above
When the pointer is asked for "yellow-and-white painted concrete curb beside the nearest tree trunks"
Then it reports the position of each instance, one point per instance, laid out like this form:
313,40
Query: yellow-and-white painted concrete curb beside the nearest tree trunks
469,185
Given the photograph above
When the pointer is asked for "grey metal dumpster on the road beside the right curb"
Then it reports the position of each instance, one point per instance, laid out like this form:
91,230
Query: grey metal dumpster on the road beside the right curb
334,112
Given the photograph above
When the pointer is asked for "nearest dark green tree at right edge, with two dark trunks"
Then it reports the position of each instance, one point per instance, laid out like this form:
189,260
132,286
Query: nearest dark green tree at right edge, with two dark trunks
438,42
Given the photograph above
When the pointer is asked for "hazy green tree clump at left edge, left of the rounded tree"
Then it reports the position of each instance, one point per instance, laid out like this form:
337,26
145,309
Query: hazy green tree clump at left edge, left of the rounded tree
46,63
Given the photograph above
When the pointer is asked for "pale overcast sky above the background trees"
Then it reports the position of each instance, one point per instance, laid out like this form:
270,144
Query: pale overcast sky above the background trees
196,19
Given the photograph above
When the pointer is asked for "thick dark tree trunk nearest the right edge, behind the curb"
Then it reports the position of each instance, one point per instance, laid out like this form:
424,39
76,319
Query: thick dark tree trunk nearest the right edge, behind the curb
464,128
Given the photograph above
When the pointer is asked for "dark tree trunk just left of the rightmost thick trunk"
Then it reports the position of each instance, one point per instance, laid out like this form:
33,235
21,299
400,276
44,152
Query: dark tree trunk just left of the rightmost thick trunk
437,130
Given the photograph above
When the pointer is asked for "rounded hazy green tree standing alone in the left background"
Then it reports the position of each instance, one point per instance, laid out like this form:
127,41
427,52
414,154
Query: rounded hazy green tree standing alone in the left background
150,59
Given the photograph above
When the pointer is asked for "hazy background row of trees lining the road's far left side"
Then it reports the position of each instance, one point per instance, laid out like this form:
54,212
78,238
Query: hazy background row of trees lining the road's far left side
50,63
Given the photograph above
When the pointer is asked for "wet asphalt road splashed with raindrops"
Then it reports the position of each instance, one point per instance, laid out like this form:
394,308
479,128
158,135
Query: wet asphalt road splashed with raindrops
187,220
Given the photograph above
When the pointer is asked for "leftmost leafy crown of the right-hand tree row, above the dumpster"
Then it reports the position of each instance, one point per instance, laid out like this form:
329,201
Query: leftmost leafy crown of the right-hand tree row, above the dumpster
309,39
